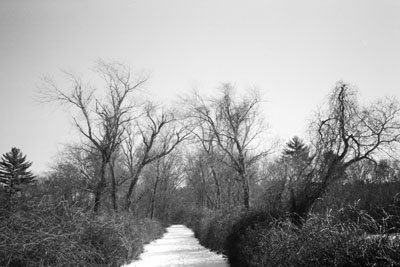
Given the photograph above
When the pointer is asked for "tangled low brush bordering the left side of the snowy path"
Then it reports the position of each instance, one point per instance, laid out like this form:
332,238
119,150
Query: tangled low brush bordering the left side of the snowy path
57,234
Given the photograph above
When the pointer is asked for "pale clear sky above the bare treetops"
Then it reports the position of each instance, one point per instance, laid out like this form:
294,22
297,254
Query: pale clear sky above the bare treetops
292,51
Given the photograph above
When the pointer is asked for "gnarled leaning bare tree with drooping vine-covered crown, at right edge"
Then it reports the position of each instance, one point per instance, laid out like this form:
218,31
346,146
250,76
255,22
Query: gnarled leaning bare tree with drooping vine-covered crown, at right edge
346,133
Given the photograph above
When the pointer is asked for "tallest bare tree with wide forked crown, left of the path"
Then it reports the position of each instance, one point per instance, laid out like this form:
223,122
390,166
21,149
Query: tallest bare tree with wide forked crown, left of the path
101,121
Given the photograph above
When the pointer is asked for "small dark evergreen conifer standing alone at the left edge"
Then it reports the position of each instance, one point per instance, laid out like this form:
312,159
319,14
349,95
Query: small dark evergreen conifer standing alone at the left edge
14,171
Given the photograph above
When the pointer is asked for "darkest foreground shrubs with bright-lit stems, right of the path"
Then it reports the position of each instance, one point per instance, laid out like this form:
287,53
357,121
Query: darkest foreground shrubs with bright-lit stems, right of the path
320,241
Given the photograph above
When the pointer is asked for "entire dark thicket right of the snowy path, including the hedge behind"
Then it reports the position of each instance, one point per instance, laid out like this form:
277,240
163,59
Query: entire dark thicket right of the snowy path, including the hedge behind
354,224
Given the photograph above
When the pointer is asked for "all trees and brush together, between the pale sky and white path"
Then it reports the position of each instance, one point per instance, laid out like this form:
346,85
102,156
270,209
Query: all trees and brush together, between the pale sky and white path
328,198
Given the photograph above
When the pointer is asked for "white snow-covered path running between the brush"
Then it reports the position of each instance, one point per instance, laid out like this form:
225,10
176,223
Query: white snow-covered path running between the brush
178,247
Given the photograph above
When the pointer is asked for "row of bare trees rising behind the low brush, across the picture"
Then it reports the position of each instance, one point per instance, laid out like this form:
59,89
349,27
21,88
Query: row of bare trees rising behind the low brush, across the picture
214,152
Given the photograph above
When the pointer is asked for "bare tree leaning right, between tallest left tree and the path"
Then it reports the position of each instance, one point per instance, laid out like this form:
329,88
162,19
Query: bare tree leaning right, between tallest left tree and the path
159,132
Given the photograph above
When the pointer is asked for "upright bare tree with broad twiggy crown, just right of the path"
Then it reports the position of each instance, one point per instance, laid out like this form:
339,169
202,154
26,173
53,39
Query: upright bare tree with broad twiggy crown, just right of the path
235,127
